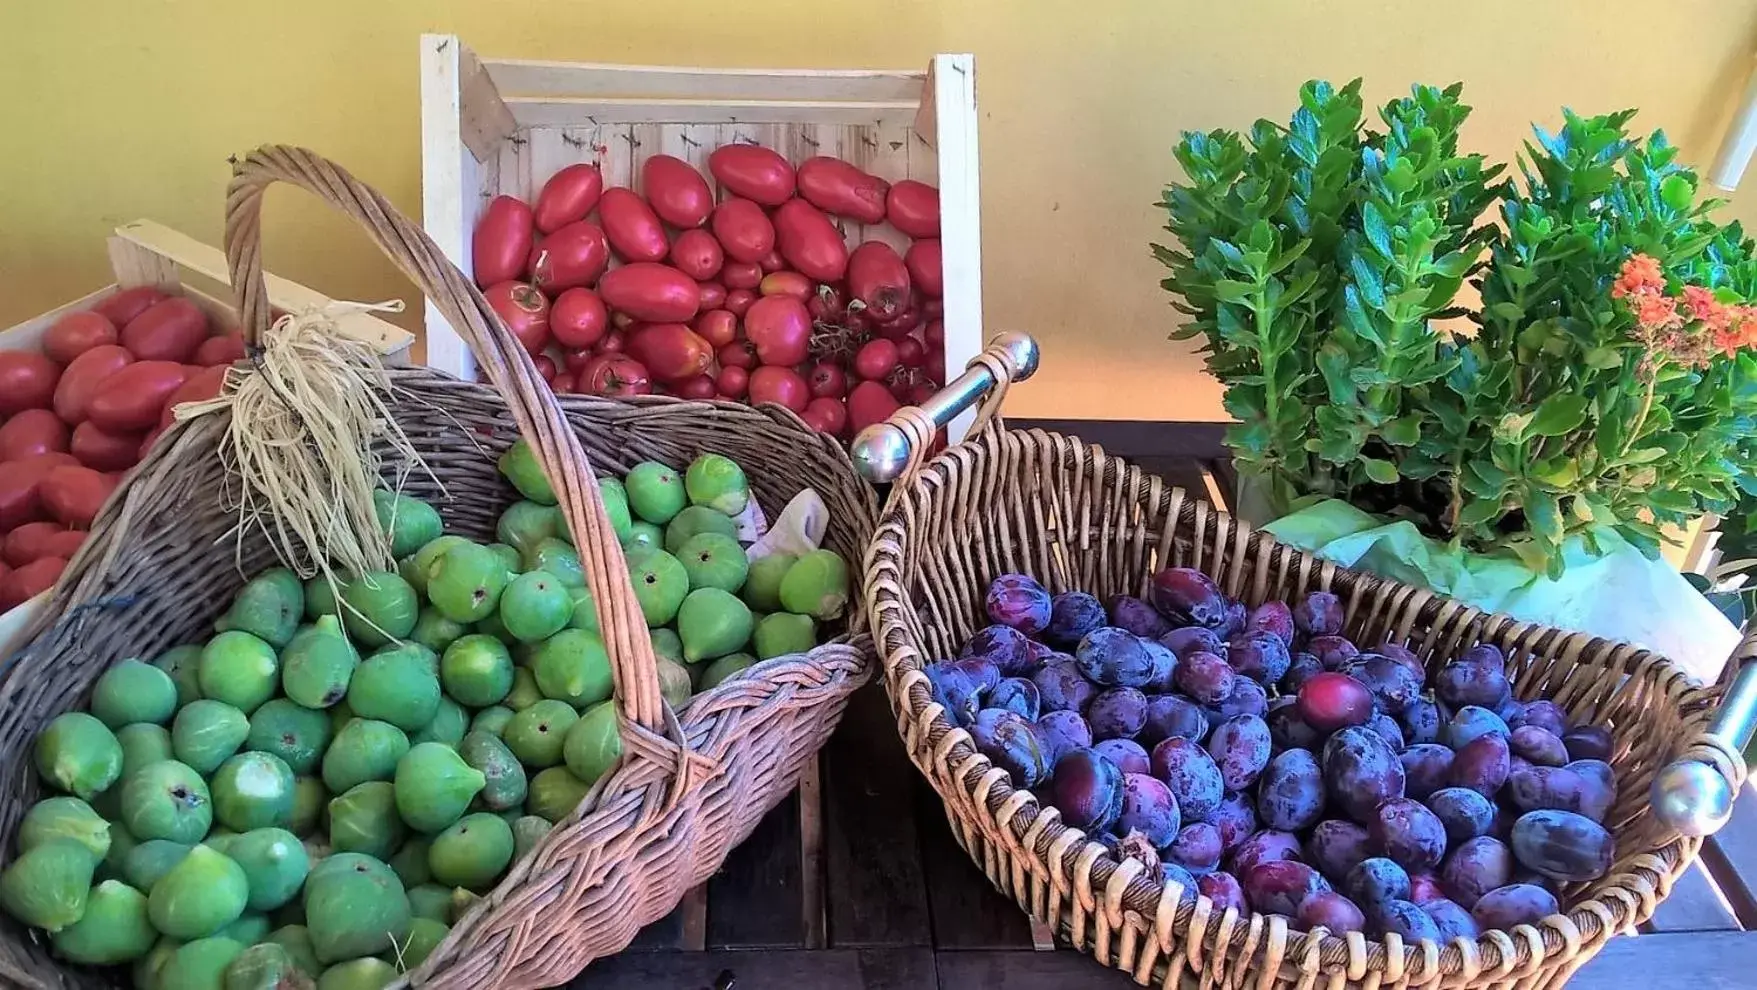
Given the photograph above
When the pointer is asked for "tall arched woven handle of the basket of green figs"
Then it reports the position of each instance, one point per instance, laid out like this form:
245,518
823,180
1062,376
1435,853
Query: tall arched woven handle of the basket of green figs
507,367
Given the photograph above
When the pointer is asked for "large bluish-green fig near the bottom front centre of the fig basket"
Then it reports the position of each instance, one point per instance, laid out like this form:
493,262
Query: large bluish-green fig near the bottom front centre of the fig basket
356,906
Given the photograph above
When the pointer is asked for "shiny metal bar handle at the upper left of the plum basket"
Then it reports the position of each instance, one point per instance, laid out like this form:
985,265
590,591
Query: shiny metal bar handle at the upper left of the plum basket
886,451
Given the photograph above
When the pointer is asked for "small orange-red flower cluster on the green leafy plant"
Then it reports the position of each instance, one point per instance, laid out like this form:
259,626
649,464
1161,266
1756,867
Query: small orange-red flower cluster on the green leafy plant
1688,330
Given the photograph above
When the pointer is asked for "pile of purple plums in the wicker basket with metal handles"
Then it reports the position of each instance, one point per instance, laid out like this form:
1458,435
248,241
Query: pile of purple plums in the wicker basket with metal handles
1266,762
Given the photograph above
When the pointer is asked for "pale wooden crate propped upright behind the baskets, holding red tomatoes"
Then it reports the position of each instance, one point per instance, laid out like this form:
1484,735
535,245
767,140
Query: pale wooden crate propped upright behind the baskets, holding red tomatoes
500,126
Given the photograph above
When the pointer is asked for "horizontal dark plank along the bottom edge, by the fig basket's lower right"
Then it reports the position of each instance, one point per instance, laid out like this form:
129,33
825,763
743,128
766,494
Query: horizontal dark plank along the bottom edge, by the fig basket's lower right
825,970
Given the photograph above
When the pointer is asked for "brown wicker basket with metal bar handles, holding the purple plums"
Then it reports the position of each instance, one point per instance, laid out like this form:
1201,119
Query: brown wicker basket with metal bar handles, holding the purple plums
1081,520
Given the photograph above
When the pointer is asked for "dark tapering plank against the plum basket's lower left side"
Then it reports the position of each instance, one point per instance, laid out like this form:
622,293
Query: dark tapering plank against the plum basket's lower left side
967,912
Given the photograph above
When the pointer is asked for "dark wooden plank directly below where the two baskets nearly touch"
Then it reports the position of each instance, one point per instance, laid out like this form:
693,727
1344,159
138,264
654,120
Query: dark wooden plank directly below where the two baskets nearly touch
876,891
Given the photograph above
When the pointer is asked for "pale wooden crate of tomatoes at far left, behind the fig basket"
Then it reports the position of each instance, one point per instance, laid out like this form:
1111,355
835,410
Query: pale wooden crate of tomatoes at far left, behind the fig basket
152,254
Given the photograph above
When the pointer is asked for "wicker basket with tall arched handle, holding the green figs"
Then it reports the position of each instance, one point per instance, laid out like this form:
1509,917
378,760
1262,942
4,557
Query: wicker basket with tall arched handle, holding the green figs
164,560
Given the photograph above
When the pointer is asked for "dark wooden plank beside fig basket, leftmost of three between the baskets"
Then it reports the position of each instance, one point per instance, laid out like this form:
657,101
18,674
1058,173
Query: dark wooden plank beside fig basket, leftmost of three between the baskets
755,899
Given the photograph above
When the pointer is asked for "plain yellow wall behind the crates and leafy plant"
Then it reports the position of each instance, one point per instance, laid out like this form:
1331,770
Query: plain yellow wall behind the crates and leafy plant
113,110
